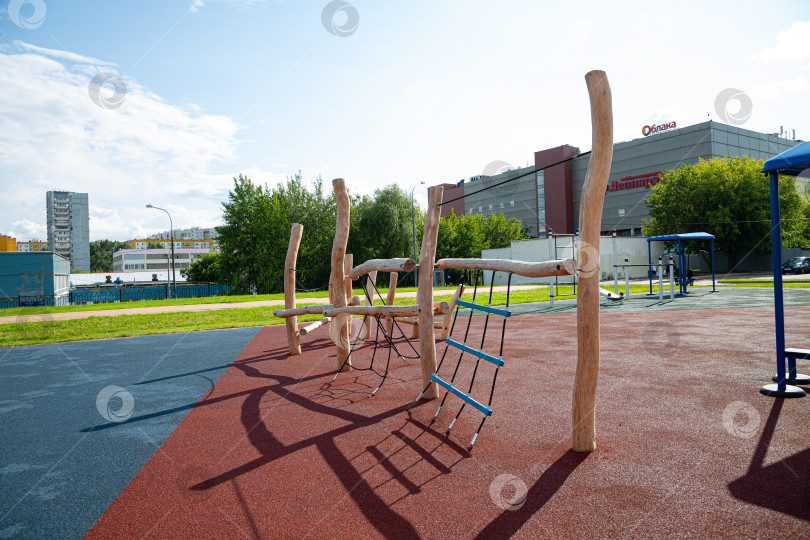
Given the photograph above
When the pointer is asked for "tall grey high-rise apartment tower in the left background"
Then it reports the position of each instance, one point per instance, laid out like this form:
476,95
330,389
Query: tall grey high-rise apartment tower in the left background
69,227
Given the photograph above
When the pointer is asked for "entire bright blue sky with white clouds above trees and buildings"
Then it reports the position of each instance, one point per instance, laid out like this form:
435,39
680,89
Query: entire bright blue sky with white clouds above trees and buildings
163,102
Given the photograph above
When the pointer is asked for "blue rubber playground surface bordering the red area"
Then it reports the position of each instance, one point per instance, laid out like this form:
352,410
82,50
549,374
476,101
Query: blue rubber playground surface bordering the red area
67,449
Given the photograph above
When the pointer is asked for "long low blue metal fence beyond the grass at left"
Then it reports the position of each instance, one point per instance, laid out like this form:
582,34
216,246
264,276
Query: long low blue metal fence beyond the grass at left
117,294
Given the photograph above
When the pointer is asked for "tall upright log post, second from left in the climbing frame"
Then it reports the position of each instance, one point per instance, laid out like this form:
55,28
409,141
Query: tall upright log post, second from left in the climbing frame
342,322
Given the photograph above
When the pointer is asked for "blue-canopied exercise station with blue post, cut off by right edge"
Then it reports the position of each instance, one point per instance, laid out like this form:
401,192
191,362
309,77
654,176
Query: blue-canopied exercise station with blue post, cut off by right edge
791,162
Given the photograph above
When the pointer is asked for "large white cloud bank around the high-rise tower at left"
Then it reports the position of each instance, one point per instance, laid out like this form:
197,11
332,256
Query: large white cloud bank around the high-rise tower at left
53,136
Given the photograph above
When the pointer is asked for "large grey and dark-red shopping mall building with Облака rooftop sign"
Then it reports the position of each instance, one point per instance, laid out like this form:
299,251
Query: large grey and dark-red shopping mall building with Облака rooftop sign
549,199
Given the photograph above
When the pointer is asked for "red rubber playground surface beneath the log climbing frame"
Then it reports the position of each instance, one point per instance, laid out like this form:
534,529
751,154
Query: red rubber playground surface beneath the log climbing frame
686,444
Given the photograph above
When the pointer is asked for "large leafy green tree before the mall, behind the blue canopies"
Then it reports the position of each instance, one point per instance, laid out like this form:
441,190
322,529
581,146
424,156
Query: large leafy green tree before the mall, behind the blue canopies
728,198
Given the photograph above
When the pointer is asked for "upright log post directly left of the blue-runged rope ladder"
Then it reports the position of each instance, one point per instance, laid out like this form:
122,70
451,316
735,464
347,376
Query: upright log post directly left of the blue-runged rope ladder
424,294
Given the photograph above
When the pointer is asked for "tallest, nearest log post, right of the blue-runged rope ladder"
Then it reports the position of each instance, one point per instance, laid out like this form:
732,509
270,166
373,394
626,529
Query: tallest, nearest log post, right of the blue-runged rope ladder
590,220
